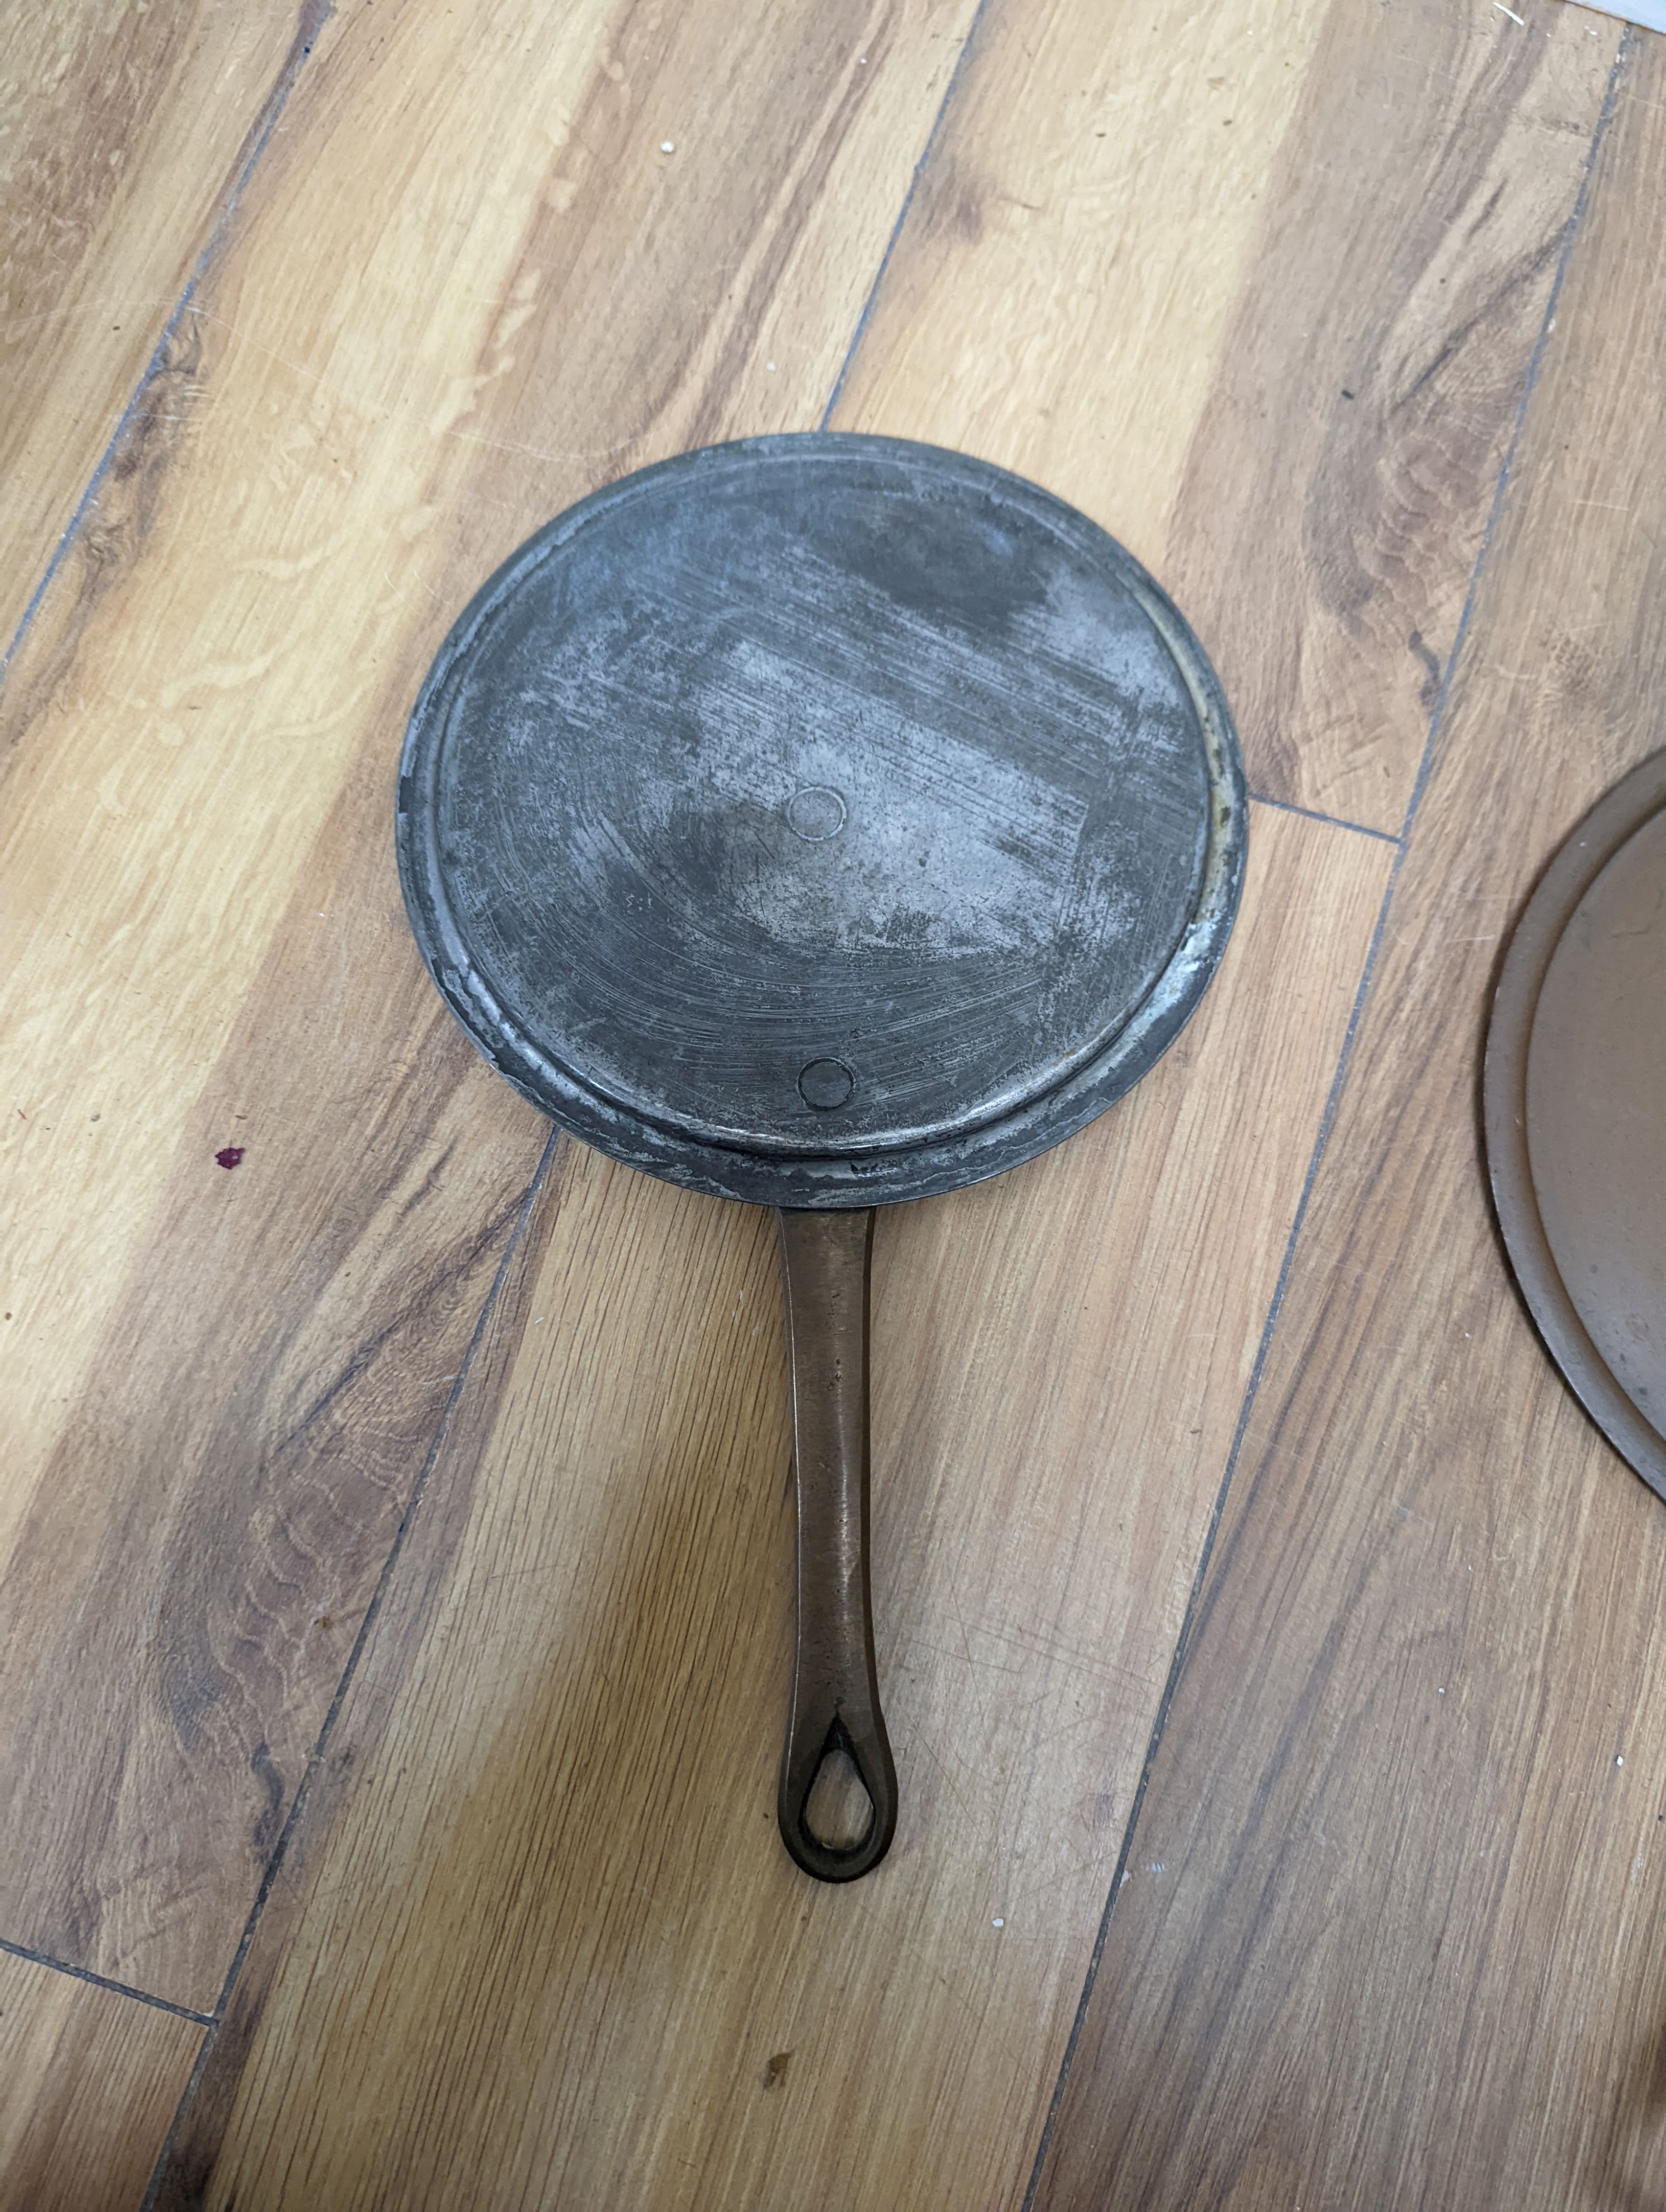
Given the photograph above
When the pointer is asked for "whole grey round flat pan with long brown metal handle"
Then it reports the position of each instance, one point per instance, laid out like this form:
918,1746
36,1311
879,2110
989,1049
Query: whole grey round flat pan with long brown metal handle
822,822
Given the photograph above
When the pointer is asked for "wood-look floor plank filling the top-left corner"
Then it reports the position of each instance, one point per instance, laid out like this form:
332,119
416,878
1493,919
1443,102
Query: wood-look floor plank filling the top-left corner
123,134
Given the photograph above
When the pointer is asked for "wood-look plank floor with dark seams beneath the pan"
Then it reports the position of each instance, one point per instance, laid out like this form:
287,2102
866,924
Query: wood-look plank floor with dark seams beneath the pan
395,1541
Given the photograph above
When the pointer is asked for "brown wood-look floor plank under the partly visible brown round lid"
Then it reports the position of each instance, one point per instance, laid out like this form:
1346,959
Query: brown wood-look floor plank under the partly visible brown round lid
1393,1926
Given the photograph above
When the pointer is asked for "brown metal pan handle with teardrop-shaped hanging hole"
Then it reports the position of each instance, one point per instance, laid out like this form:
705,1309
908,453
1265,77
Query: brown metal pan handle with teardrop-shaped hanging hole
835,1687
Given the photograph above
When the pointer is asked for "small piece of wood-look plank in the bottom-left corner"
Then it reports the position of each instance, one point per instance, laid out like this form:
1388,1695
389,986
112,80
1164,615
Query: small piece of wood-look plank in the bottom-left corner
87,2089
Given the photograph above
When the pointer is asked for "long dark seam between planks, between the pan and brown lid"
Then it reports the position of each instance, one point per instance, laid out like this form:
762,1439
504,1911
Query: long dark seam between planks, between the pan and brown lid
1333,1103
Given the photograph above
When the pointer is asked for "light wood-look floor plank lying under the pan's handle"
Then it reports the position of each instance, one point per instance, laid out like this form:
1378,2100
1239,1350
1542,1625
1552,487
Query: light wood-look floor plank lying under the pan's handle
550,1945
